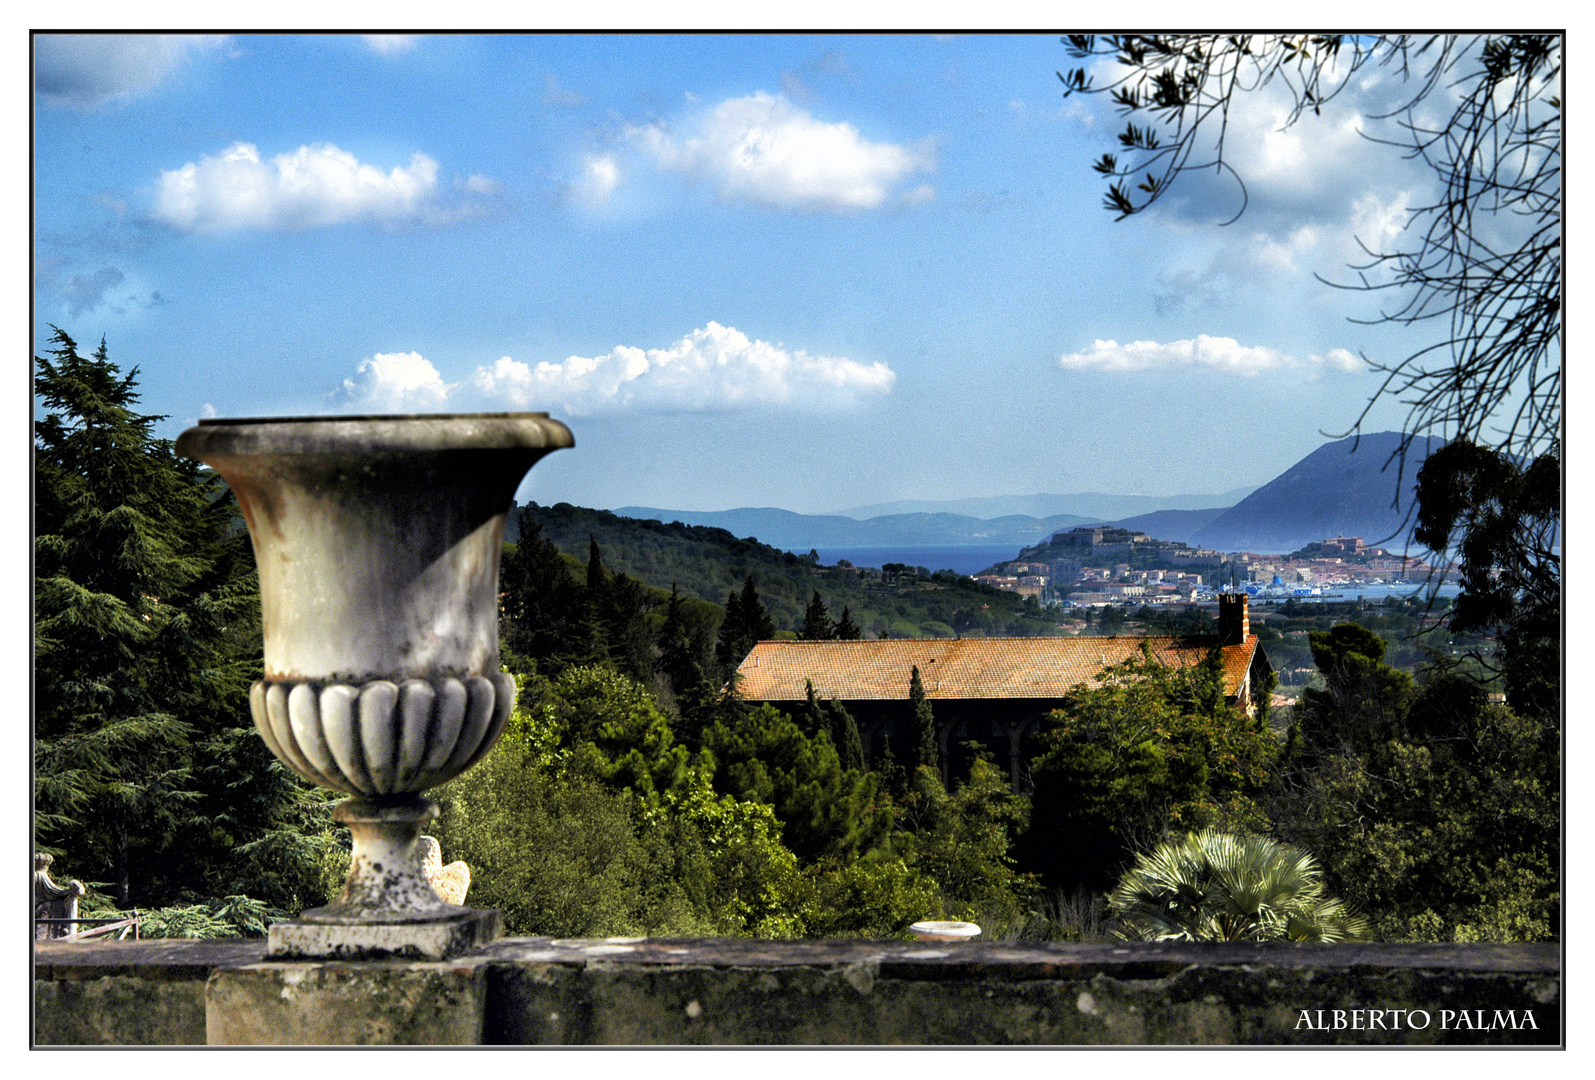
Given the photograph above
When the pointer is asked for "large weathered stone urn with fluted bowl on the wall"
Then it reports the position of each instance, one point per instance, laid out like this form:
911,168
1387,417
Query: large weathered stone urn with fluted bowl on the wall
377,542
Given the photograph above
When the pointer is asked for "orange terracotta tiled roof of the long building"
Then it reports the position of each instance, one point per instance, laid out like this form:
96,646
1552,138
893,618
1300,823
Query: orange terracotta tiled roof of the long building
964,669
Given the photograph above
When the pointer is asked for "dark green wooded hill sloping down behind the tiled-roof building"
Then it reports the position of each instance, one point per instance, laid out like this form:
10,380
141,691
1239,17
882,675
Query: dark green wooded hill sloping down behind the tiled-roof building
711,564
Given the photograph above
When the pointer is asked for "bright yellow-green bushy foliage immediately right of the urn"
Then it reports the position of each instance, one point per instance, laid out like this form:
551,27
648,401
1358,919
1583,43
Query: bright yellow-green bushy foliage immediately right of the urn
591,821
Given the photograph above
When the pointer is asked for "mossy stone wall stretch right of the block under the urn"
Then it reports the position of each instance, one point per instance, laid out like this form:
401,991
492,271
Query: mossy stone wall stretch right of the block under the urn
862,993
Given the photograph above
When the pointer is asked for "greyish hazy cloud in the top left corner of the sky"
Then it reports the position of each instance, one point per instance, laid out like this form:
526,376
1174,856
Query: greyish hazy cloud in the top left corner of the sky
89,69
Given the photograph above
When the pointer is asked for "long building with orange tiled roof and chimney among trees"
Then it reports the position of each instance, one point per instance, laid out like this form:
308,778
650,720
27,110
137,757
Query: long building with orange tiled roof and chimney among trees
990,690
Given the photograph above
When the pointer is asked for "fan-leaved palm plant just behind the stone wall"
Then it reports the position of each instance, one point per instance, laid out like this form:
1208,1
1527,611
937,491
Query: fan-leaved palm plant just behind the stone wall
1219,888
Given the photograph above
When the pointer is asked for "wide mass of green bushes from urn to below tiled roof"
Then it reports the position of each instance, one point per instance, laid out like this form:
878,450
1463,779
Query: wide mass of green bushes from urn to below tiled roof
591,819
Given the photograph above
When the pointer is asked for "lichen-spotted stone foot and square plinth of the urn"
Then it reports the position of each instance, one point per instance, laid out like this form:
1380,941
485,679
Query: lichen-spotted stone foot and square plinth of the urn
387,910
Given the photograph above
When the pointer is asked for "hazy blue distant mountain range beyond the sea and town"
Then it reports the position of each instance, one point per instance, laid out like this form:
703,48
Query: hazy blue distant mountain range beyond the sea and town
1342,489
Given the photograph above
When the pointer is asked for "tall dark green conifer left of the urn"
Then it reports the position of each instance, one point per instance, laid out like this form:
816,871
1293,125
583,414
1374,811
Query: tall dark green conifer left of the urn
149,779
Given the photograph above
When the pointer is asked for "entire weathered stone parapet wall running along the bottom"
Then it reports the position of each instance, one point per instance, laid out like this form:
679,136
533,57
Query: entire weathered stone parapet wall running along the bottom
628,991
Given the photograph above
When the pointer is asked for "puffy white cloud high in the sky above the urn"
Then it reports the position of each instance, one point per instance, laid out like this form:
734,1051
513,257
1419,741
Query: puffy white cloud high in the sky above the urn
313,186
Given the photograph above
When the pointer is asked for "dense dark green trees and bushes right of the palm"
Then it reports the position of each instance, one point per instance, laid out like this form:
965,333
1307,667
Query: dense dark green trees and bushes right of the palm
1433,810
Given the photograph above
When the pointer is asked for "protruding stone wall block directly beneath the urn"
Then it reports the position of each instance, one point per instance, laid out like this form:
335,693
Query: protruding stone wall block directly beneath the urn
347,1004
